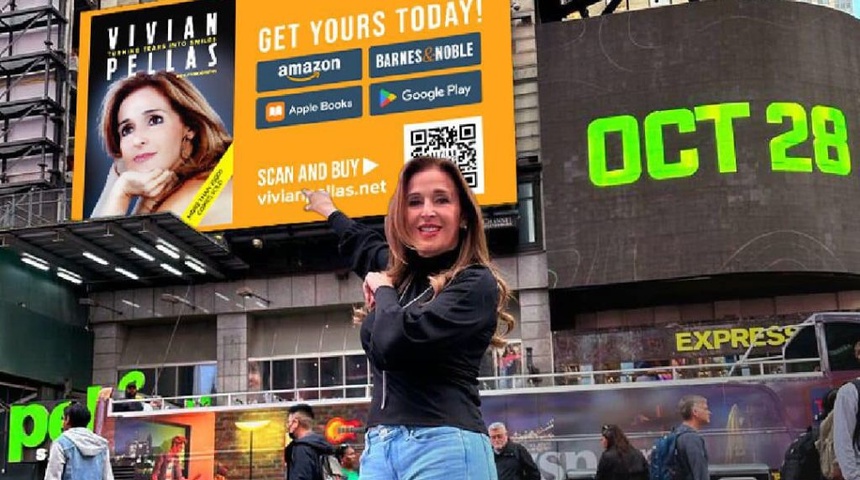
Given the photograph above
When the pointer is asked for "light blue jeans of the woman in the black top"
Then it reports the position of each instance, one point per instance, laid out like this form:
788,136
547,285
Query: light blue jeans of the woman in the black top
426,453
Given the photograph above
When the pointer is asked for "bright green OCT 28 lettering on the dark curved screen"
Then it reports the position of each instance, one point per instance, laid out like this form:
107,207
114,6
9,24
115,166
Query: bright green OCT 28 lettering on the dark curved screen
824,127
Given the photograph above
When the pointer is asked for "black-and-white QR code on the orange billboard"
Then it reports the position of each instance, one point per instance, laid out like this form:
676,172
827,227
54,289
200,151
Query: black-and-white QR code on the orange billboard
460,139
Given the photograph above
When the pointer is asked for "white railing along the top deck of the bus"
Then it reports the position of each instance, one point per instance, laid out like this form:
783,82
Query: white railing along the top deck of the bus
751,370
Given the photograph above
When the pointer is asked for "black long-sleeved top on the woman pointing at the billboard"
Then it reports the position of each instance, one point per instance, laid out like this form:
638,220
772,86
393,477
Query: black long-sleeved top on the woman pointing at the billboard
424,356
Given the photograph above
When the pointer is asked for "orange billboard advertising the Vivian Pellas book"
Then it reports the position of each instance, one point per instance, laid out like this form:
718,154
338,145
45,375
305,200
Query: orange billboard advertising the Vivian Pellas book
179,110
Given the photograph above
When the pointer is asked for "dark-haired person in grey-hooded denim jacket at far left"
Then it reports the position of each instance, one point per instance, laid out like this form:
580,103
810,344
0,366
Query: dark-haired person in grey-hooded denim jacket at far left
78,454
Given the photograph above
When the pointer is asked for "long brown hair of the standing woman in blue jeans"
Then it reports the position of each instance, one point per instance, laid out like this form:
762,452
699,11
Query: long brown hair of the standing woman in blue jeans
473,241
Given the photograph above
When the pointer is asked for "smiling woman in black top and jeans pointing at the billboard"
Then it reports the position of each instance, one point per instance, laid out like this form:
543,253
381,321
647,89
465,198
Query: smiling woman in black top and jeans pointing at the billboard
433,305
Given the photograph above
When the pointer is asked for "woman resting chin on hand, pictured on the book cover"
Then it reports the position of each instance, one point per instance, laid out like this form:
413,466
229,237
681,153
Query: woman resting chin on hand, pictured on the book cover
165,139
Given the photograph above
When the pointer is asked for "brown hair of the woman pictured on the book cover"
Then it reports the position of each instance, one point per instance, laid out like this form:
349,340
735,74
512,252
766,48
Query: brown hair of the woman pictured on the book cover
211,138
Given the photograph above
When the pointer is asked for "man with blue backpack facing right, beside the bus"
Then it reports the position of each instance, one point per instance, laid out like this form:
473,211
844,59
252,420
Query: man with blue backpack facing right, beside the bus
681,454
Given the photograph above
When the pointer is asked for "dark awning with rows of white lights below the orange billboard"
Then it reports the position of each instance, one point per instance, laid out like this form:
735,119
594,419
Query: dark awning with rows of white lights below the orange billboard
124,252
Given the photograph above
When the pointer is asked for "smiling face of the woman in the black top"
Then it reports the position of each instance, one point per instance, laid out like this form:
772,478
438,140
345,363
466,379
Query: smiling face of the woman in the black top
433,212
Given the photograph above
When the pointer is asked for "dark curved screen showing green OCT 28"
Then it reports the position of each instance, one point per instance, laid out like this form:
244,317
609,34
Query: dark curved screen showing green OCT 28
678,145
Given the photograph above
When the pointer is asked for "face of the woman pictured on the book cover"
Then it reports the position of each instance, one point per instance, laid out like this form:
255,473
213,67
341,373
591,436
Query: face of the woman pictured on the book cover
150,131
